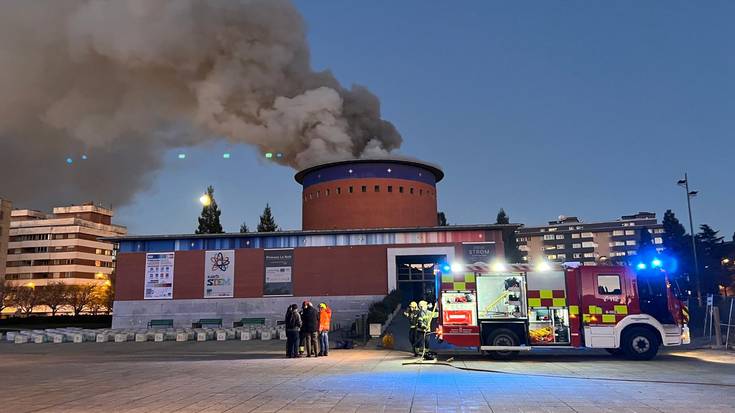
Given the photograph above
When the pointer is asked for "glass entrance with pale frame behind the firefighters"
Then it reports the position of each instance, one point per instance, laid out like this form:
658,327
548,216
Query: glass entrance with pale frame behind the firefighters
416,278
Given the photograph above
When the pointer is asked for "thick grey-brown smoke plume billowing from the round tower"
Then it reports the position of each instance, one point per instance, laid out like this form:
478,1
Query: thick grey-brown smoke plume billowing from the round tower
124,80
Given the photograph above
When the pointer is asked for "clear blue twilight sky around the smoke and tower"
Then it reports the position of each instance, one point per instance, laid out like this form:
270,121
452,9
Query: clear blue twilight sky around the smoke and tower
592,109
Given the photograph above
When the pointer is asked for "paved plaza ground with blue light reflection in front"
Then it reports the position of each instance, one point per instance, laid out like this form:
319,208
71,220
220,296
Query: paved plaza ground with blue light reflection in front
253,376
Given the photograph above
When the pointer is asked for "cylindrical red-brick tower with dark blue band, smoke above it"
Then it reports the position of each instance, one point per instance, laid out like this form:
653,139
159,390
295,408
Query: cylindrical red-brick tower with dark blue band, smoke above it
369,193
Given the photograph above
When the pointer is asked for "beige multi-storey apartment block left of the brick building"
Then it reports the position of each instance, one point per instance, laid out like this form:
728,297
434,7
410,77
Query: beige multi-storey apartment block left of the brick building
61,246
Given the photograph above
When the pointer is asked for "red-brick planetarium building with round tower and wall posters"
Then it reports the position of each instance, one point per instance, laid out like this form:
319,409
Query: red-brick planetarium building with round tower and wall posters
369,227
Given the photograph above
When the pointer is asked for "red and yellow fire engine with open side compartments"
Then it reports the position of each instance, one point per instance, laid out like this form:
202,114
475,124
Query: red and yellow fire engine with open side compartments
502,310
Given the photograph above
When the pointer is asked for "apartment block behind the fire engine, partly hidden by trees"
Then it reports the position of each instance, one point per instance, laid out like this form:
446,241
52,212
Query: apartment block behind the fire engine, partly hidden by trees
570,240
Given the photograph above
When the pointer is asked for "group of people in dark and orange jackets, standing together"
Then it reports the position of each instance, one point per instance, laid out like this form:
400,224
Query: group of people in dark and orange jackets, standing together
307,330
